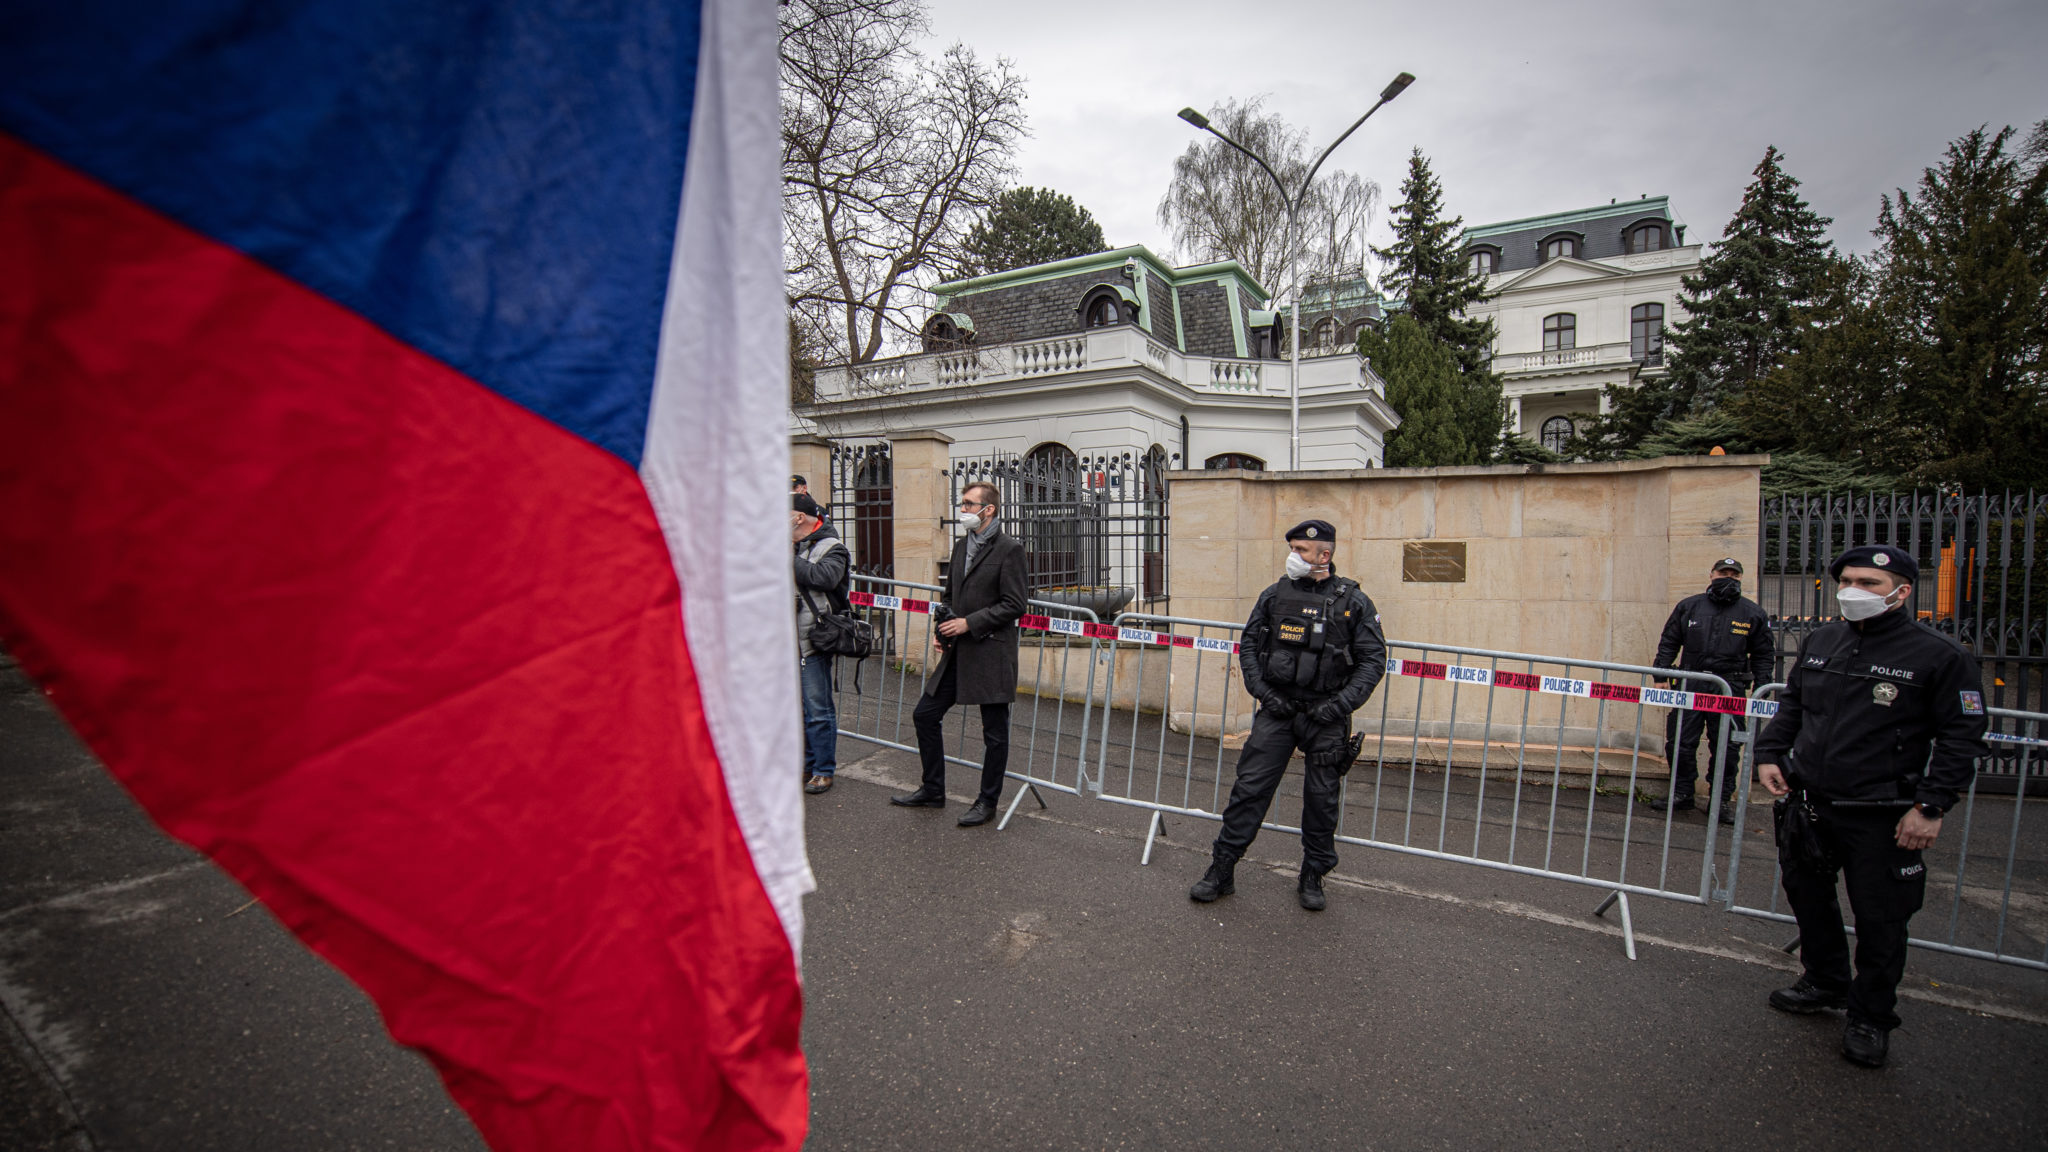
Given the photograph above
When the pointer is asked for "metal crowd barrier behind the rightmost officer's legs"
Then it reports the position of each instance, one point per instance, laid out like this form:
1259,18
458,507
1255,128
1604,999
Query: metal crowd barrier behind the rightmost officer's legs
1994,911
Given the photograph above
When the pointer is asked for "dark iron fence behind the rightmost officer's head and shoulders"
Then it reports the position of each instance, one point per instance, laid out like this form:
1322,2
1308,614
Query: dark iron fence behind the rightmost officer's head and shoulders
1979,575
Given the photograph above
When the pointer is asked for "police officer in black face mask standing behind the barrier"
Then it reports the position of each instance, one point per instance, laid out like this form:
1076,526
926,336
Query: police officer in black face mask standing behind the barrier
1723,634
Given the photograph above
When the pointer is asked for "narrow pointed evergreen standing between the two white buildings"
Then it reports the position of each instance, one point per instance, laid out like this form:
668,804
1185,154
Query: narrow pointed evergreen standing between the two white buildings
1426,268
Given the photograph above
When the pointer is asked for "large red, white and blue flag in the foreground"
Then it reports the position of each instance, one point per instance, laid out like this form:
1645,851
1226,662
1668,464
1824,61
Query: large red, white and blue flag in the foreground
392,450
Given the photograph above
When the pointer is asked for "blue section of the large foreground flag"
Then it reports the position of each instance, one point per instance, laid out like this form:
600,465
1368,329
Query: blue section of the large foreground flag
490,181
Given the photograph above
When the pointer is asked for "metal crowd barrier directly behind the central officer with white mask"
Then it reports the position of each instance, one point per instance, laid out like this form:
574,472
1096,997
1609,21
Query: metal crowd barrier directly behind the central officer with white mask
1469,766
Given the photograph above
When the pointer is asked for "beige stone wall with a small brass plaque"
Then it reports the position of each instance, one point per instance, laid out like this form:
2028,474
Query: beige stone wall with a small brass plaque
1580,563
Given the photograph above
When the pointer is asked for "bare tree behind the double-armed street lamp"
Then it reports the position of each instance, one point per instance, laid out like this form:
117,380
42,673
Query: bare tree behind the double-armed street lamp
1224,208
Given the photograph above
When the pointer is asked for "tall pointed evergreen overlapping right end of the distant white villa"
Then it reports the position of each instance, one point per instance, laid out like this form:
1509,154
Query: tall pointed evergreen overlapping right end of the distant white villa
1744,304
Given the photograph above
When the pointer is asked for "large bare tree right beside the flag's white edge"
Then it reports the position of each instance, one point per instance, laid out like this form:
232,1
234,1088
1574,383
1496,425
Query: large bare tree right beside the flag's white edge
888,159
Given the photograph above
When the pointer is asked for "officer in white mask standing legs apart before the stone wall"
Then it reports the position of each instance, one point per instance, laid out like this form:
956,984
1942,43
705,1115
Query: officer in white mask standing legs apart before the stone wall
1312,655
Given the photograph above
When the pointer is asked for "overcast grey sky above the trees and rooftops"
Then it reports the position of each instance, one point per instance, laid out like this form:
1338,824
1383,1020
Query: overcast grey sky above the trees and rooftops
1523,108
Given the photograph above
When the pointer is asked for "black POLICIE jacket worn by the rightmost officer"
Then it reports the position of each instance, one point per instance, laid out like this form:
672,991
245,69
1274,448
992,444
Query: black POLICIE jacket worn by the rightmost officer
1863,706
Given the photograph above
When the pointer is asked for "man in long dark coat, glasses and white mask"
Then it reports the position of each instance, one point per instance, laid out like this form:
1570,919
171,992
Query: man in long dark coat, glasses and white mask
986,593
